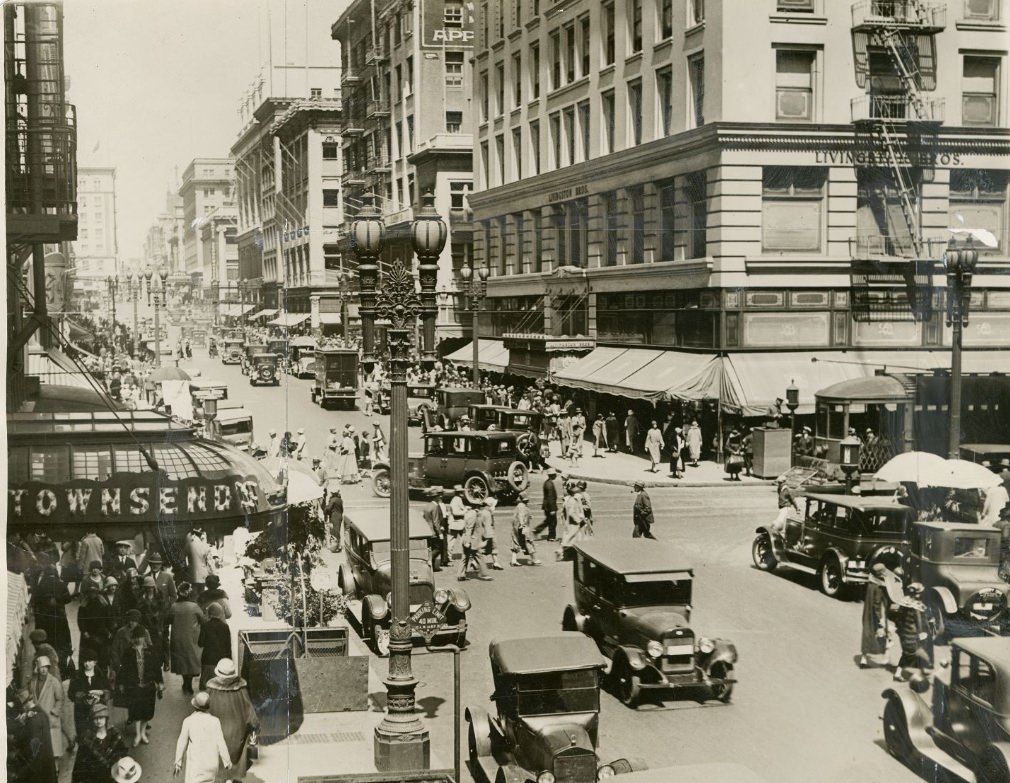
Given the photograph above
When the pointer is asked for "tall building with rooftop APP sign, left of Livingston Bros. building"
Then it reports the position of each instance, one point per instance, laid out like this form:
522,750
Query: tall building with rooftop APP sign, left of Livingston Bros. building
407,87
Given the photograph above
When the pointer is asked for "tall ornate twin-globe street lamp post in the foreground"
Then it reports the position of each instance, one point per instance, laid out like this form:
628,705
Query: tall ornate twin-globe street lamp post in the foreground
401,740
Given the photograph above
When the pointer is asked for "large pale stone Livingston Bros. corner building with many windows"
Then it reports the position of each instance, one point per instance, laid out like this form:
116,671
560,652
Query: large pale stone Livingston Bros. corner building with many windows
672,183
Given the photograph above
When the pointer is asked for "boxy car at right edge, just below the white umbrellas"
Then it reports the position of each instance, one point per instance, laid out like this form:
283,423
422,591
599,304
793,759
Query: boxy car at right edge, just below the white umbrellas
959,564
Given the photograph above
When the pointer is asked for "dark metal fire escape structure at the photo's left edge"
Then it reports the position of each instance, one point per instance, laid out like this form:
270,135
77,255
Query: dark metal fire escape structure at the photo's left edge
41,182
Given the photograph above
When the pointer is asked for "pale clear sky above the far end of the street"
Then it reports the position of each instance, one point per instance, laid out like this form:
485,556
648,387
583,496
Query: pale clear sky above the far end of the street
158,83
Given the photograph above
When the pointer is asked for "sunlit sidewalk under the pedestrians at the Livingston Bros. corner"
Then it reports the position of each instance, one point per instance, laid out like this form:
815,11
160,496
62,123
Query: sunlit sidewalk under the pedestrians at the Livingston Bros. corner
627,469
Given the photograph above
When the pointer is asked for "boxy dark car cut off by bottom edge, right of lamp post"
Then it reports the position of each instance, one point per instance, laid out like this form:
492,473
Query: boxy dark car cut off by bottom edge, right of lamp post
547,727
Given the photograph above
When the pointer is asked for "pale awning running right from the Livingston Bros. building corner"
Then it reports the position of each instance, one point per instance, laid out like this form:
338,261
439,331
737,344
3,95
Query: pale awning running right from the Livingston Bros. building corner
751,382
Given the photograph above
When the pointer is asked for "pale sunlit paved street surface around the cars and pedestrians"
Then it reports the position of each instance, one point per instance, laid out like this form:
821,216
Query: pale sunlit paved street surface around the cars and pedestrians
801,704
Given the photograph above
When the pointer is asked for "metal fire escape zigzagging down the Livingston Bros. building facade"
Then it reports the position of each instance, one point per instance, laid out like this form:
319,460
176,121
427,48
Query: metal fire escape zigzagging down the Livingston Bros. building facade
896,125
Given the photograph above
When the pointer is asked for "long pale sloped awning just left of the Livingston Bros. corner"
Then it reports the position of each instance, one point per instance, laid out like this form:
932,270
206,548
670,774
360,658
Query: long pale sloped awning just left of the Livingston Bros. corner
645,374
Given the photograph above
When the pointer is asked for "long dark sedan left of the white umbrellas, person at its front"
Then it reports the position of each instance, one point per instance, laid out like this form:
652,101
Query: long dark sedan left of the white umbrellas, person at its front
839,539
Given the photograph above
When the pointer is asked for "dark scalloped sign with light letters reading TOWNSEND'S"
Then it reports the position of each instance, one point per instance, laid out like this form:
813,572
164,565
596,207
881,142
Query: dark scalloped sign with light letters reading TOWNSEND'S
135,499
